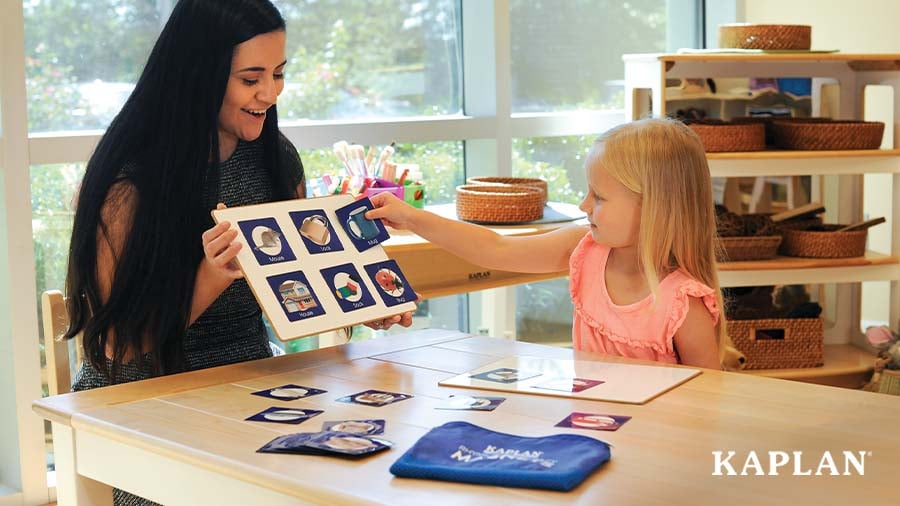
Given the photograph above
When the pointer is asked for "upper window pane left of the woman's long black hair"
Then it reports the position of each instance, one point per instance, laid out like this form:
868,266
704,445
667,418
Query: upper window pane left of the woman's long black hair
77,79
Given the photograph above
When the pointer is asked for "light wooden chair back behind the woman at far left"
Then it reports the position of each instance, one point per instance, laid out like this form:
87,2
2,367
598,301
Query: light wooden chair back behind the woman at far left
59,363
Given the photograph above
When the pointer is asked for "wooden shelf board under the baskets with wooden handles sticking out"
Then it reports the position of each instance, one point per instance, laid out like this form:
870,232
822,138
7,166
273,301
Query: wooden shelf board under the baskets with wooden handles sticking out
792,270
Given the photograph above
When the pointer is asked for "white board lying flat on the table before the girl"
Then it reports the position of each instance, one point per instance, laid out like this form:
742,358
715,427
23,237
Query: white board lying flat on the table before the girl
580,379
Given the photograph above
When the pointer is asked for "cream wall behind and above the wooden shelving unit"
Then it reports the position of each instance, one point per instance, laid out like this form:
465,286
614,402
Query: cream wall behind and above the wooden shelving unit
857,26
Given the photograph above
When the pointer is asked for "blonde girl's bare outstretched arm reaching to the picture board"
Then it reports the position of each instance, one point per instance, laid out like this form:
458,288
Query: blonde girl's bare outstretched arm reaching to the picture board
547,252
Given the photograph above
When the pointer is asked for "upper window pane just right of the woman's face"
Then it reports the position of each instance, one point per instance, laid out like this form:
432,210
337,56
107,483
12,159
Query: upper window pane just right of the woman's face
371,59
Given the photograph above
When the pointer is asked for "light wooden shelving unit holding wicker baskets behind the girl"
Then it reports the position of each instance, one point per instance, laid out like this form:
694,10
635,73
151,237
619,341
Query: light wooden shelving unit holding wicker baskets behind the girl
839,84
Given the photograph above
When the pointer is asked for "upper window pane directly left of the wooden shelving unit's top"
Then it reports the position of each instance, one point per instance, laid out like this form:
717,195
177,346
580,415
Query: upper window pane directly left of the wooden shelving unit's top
568,55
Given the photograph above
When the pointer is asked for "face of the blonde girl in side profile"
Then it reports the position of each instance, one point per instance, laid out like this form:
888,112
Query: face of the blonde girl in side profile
613,210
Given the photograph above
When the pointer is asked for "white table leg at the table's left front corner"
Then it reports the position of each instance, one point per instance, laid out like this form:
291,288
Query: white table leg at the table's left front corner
73,489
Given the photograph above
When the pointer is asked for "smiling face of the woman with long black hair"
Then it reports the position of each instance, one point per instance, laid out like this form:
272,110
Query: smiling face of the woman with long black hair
254,84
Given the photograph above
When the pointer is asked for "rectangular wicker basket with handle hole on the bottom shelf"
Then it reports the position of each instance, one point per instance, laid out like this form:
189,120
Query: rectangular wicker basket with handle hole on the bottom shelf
779,343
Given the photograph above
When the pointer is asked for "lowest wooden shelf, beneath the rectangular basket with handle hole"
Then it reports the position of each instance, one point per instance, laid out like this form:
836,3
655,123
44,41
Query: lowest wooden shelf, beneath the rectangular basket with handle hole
845,365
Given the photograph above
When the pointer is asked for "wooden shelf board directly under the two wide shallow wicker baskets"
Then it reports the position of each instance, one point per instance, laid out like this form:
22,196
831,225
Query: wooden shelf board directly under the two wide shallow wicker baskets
804,163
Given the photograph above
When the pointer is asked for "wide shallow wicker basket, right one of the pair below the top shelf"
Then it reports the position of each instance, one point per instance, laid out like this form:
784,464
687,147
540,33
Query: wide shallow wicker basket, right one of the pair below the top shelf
822,135
